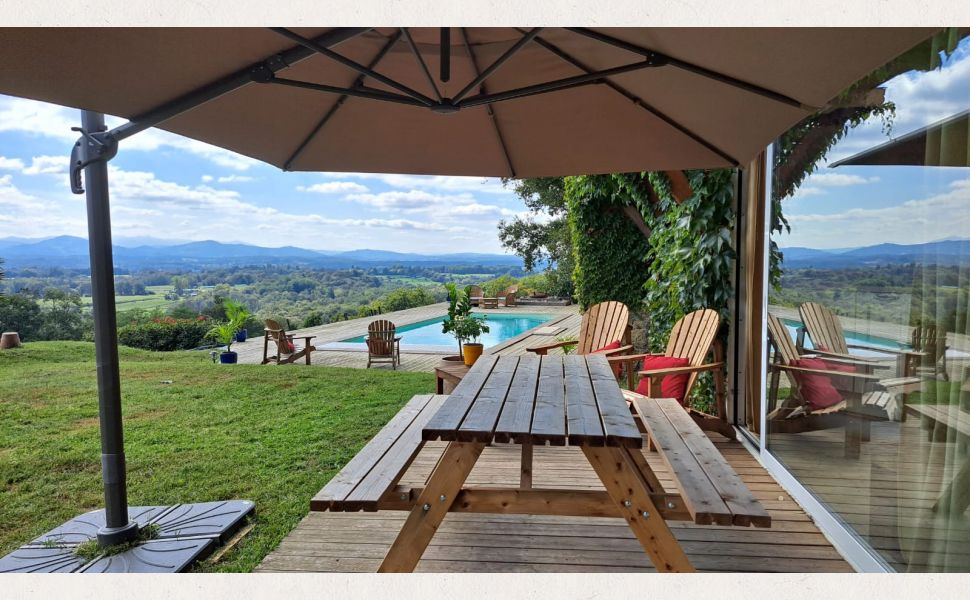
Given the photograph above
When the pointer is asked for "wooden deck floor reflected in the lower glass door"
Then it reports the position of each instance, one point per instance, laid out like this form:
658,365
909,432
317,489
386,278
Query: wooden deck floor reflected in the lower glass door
888,493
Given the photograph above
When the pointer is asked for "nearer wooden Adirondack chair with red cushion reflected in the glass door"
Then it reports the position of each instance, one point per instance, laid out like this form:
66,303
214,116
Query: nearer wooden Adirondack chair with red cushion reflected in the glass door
865,397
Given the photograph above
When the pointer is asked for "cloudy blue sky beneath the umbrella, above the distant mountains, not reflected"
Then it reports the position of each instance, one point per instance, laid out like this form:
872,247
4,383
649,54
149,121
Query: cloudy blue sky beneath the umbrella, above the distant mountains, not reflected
168,187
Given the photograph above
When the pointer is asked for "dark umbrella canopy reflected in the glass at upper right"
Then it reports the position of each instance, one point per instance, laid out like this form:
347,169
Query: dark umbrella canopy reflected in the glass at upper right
945,143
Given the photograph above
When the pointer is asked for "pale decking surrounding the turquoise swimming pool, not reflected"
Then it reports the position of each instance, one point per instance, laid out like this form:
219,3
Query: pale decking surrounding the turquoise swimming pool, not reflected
567,318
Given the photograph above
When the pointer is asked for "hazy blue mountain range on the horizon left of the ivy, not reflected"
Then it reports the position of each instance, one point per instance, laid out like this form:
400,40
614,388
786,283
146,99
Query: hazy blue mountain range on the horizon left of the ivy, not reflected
72,253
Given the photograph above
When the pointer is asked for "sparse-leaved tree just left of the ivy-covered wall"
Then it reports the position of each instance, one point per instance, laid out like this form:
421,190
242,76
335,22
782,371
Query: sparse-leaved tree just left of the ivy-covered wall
542,239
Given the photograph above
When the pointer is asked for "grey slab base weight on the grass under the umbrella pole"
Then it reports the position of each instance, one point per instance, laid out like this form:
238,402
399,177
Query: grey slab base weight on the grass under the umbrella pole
186,533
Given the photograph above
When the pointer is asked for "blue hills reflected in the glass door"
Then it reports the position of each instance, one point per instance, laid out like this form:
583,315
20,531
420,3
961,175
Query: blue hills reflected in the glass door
942,252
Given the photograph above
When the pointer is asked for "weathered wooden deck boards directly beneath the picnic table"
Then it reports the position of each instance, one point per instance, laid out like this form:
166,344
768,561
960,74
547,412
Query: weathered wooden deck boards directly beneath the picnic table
356,542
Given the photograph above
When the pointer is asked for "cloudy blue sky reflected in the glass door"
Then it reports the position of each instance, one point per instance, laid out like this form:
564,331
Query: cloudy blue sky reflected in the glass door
853,206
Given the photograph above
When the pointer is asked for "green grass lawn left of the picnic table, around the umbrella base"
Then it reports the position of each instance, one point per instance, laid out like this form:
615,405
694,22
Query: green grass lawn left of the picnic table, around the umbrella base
273,435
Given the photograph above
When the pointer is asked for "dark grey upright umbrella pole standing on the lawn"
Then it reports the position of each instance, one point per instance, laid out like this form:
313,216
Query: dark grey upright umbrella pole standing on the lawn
118,528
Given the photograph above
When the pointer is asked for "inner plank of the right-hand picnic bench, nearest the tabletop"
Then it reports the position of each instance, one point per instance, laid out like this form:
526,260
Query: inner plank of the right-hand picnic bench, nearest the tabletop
700,496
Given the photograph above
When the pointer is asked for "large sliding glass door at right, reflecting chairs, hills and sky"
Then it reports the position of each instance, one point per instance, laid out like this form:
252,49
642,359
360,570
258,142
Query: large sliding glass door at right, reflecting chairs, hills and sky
867,390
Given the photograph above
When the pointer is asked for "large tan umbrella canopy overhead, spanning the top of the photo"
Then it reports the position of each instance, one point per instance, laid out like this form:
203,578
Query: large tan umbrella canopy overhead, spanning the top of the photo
456,101
